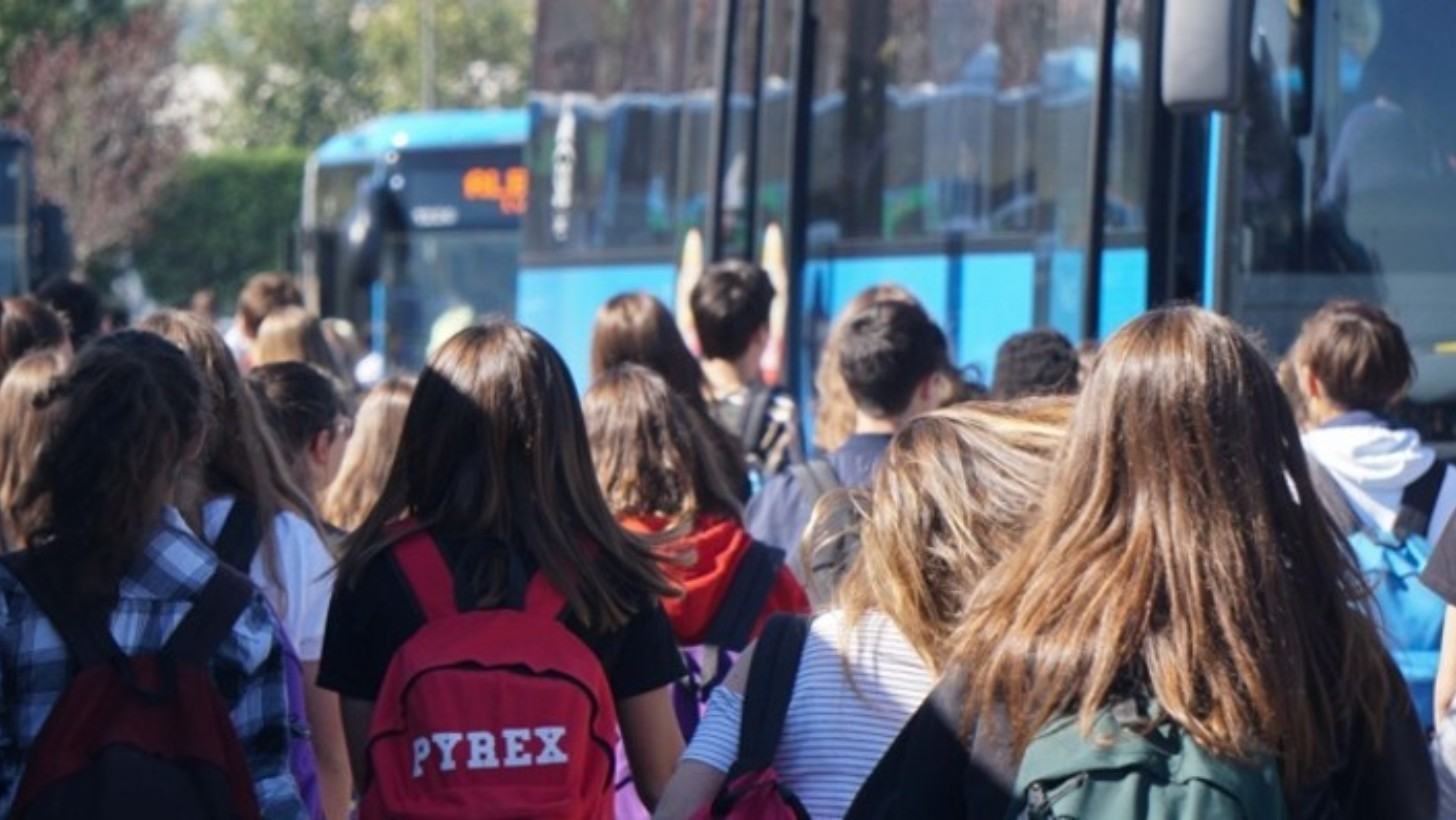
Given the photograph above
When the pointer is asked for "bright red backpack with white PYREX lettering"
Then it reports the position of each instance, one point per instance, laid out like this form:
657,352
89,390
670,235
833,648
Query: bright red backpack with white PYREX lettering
494,713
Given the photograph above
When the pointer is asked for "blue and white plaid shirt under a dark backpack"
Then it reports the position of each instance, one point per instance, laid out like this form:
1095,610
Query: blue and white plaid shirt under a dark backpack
154,598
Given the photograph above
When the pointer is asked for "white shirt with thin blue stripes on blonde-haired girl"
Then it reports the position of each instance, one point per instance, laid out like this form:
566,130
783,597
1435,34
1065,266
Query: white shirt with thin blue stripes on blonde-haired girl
838,728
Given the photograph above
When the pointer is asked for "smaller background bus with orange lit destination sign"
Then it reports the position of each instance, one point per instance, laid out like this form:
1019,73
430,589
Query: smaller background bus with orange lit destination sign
411,226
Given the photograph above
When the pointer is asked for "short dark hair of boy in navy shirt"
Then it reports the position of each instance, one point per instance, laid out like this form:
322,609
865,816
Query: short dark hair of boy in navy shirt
889,350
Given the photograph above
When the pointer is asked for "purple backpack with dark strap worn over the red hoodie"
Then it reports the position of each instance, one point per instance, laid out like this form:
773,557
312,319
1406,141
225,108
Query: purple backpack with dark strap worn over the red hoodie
708,663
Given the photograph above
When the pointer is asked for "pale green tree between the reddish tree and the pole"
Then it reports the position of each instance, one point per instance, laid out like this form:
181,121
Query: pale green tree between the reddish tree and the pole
296,71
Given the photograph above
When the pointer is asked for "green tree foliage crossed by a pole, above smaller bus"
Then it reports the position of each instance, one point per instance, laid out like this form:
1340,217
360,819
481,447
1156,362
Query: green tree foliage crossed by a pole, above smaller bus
483,49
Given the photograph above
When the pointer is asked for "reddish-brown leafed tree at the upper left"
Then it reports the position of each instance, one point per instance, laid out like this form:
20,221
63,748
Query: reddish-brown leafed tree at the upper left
95,109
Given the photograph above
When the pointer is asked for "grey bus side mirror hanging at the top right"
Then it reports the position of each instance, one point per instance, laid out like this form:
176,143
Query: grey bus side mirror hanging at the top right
1206,55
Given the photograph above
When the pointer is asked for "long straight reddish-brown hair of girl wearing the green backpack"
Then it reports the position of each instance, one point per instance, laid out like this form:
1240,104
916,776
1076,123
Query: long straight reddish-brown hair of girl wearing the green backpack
1182,554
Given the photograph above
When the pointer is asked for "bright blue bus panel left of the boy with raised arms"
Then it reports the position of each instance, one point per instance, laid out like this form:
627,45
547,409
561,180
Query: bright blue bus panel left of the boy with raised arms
563,304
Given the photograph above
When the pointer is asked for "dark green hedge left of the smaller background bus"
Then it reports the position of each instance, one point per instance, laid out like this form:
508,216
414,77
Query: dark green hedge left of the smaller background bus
225,218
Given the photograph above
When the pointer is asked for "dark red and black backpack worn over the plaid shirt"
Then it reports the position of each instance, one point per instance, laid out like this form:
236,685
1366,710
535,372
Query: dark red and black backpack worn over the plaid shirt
143,736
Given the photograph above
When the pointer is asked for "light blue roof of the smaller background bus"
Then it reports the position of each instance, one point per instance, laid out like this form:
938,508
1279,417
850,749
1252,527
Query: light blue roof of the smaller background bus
424,130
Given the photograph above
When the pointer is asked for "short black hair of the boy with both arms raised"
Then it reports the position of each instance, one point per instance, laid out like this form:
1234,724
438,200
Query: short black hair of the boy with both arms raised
730,305
